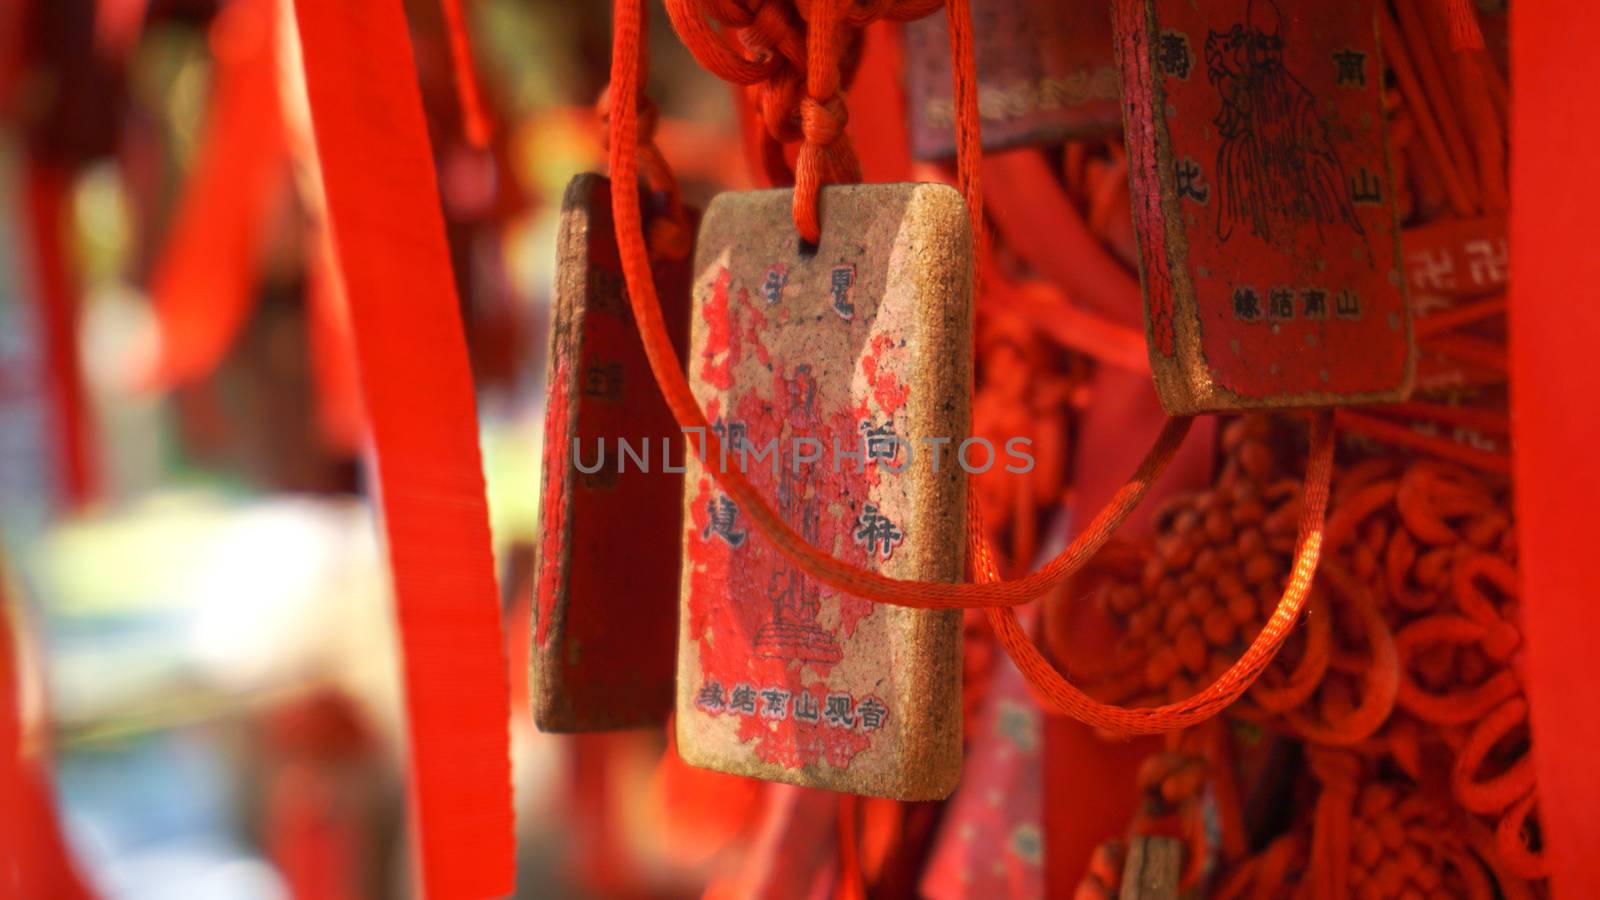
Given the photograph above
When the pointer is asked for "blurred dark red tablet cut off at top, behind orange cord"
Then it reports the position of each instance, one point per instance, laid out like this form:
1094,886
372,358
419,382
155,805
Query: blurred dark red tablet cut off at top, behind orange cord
1046,73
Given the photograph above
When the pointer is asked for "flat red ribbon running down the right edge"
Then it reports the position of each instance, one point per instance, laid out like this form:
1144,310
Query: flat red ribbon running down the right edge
1554,327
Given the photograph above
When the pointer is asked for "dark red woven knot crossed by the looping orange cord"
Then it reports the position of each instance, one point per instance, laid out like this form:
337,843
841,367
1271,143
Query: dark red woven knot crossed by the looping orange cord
1212,579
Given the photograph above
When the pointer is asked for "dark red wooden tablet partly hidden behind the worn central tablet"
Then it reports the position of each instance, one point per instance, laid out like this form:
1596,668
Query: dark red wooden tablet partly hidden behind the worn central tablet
606,581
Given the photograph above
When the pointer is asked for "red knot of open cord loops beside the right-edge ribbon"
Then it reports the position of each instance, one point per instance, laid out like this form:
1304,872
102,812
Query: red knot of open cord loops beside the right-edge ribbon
1436,545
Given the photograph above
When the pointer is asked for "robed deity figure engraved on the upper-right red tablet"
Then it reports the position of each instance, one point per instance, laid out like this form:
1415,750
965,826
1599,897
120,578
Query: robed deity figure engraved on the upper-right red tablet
1276,169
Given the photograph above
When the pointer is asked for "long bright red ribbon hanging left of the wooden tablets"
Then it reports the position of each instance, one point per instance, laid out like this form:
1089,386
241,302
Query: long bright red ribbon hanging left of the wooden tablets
390,236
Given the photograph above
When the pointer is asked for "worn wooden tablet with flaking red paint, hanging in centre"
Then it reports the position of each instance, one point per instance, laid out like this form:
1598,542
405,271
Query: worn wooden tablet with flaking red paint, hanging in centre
839,379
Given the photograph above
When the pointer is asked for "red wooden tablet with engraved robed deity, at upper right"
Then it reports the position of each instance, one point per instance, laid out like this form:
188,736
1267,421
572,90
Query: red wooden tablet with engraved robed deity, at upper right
1265,204
